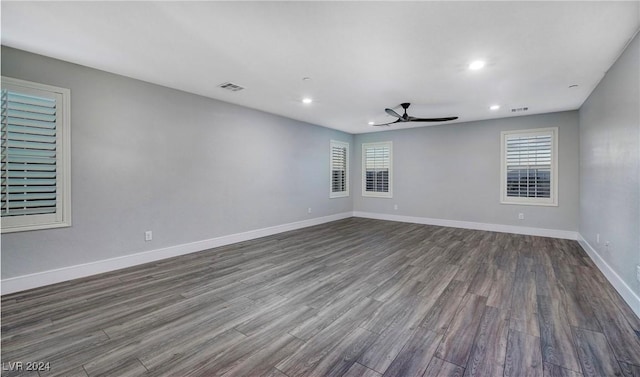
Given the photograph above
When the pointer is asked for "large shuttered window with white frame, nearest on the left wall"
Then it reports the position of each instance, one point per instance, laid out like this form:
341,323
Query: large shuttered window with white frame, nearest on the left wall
35,156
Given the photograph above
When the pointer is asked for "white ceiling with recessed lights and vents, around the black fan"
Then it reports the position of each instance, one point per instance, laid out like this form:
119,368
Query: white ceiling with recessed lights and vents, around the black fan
361,56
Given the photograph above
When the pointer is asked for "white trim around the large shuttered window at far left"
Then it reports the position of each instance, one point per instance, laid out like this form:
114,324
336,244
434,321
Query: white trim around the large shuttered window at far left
62,216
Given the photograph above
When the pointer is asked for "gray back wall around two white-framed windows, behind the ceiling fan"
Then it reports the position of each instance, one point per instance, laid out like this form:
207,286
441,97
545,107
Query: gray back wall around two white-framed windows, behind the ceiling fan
452,172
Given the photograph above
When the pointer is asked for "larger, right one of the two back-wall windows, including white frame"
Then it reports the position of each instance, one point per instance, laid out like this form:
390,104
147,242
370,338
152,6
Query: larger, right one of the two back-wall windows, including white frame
529,173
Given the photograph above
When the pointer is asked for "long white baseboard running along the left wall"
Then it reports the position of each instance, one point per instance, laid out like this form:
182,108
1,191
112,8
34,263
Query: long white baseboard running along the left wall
40,279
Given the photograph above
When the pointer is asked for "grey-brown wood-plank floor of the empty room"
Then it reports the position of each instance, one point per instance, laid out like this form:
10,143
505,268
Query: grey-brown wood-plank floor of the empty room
355,297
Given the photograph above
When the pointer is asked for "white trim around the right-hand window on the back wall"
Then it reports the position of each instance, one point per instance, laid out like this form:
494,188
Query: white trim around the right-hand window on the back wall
552,201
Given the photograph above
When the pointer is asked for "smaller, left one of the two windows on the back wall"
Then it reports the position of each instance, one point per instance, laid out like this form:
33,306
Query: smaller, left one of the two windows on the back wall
377,174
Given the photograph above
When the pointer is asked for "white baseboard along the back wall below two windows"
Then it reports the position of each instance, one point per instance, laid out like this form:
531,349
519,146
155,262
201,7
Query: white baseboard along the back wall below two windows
564,234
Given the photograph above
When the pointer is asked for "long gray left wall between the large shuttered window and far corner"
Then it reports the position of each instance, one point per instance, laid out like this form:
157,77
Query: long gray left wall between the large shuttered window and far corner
146,157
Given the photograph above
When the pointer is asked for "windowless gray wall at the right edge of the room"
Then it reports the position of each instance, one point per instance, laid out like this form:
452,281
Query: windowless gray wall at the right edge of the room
610,166
